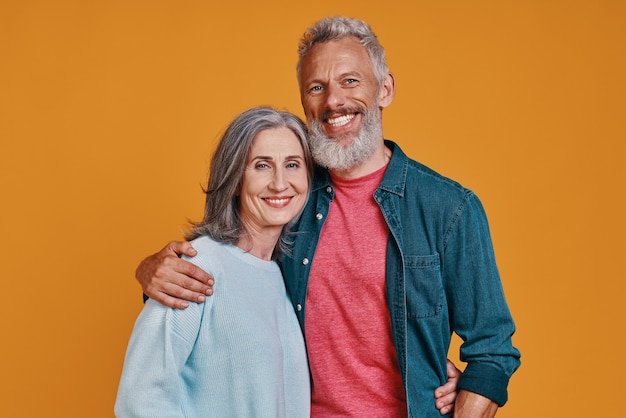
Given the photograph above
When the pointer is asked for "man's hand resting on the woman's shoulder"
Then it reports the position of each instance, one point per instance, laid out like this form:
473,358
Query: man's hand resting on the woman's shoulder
172,281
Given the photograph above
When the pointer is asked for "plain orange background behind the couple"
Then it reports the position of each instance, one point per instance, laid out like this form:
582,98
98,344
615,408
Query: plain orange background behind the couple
109,111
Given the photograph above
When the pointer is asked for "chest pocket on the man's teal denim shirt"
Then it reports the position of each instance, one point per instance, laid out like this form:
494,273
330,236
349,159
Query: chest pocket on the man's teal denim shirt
424,287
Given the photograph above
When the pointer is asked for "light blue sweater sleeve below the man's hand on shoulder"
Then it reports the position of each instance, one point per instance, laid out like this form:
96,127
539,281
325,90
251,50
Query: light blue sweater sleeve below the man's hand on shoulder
159,346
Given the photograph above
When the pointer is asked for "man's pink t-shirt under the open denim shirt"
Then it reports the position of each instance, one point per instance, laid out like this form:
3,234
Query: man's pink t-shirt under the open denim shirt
348,329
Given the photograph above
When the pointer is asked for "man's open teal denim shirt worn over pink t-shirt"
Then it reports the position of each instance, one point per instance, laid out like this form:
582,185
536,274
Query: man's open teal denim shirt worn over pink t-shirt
441,278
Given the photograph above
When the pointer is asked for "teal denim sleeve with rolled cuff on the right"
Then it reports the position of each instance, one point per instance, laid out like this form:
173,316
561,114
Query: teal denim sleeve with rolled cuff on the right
478,310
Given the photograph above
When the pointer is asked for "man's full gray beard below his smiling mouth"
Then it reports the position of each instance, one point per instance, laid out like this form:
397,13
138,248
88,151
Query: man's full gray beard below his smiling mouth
331,154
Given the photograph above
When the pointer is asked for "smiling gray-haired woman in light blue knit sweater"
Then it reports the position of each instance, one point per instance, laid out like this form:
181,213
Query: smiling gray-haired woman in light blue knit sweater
240,353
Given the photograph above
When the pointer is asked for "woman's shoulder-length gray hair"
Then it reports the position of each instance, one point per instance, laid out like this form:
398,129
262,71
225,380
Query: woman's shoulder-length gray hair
222,220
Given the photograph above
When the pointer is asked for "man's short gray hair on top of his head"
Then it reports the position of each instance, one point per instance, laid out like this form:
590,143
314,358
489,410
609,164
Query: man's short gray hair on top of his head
338,27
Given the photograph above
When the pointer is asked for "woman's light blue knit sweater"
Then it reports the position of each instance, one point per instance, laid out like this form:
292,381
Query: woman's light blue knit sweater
239,354
